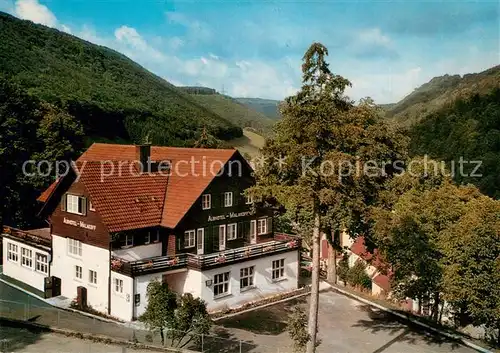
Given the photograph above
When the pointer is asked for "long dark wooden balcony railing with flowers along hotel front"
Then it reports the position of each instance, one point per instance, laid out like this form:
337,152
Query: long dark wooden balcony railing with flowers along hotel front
280,243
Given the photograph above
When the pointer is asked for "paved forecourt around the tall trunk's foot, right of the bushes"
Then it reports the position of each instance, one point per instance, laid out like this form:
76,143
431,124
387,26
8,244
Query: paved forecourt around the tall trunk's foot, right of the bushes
345,326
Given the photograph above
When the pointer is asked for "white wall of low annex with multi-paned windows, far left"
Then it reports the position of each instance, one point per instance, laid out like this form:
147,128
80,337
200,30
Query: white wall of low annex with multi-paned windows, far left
26,272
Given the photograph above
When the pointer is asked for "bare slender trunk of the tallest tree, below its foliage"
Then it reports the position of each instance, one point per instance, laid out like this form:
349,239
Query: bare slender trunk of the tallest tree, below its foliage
313,308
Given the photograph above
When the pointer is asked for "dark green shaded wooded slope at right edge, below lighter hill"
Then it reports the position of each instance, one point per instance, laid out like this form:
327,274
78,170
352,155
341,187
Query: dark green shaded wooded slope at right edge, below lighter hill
470,129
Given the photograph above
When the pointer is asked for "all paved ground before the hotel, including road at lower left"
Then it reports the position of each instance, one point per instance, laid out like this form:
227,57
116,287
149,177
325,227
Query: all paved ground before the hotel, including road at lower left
345,325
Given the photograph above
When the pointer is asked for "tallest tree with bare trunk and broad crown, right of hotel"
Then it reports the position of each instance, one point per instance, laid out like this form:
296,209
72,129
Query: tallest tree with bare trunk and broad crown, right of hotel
309,163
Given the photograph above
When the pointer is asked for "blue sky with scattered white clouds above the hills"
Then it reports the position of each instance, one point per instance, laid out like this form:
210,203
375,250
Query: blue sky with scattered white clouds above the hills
254,48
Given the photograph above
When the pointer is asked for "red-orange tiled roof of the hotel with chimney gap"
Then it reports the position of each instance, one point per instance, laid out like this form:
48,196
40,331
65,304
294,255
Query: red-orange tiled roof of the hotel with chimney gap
114,196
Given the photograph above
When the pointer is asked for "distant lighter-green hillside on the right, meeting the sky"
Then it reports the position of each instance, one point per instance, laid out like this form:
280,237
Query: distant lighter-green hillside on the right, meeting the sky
440,92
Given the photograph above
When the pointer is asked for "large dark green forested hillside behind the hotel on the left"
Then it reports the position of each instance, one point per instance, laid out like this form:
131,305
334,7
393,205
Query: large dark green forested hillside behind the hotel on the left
112,96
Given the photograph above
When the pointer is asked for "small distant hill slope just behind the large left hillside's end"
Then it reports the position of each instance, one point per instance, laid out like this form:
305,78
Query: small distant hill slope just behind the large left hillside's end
230,109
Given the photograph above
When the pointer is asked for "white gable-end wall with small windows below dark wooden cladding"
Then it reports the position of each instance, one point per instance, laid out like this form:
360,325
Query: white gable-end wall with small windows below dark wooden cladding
92,258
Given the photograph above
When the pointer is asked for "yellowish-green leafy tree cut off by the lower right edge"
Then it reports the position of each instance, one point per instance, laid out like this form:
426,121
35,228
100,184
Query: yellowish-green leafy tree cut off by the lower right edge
471,275
